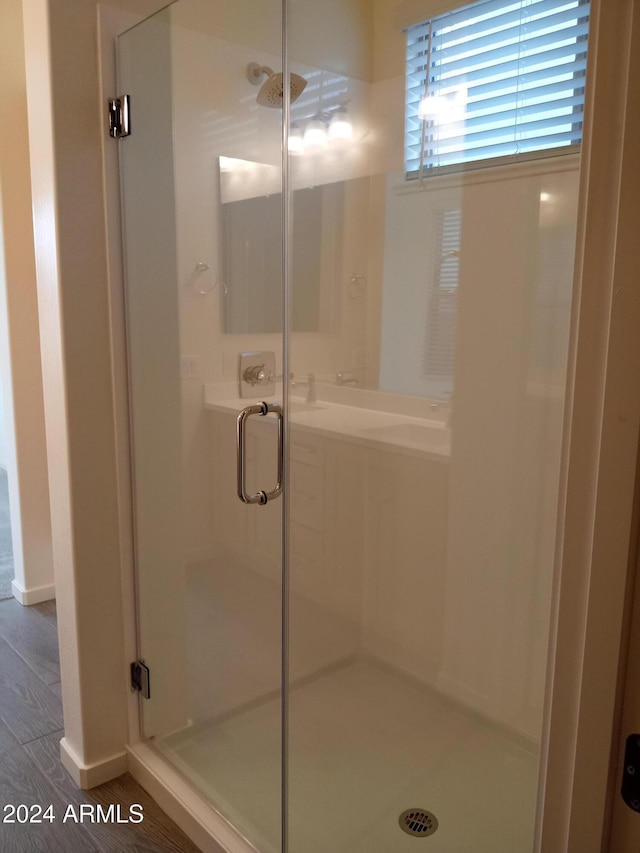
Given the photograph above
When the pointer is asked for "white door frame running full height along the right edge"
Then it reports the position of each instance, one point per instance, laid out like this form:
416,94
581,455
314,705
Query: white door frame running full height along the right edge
603,419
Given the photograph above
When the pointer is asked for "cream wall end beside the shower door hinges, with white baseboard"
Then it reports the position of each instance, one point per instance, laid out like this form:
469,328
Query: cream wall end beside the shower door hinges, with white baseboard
65,114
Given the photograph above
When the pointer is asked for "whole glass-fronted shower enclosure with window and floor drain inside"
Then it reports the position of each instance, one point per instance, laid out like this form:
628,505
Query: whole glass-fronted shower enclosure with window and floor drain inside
360,660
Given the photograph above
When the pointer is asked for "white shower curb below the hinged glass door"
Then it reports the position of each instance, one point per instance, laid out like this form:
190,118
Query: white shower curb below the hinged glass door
184,805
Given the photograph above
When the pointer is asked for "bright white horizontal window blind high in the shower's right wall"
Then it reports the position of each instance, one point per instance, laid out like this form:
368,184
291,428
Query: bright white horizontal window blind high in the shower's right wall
495,79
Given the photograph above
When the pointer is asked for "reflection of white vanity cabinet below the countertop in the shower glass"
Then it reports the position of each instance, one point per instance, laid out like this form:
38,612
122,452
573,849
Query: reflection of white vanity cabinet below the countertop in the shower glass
367,565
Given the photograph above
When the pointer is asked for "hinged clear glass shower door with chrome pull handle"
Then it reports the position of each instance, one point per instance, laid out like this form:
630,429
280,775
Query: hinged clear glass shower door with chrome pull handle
201,178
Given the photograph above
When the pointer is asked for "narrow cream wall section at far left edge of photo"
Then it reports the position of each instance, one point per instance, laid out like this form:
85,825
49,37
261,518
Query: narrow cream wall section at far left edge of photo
23,423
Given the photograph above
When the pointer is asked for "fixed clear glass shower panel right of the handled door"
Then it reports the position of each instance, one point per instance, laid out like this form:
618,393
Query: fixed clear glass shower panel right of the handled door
425,439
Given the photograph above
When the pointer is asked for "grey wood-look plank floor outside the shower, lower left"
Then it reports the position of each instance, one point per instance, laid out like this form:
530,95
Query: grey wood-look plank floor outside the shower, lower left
31,773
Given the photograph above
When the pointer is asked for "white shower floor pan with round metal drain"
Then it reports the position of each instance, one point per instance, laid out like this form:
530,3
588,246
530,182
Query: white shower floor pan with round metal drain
365,745
